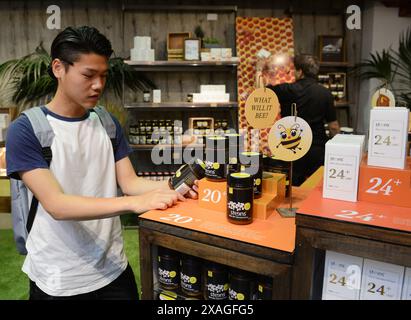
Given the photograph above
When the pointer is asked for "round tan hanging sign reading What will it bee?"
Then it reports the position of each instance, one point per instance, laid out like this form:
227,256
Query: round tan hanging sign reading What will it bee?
261,108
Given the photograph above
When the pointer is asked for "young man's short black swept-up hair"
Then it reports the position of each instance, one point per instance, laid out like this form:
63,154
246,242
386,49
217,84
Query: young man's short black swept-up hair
73,41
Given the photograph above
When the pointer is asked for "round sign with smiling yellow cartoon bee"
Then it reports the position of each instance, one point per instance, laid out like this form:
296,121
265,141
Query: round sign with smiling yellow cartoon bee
290,138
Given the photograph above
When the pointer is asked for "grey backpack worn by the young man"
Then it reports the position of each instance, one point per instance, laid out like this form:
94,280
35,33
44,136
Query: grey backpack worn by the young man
22,215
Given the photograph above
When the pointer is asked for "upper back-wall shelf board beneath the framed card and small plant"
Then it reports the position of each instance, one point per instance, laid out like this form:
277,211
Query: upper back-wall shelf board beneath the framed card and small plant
181,65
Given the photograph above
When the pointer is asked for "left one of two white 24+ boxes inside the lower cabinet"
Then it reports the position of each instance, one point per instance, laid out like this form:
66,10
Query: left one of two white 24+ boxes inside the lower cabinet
342,276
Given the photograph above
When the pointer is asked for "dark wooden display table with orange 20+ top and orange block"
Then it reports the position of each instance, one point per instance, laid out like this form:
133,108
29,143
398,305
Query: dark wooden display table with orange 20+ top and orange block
264,247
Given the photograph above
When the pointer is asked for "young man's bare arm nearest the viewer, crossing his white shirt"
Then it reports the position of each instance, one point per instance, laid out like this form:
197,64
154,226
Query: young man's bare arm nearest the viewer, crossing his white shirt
63,206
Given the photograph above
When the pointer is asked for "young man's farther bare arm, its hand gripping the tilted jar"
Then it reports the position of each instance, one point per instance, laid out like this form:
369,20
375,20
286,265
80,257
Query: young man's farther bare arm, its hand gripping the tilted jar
130,184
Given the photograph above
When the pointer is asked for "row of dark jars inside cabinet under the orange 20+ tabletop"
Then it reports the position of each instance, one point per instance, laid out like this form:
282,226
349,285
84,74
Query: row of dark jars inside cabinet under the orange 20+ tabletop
182,276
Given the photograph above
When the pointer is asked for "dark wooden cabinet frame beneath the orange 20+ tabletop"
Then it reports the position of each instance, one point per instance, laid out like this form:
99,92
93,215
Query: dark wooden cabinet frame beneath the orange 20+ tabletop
256,259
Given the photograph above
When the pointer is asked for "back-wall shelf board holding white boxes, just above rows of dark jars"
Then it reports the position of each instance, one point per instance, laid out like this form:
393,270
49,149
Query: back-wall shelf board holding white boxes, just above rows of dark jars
181,105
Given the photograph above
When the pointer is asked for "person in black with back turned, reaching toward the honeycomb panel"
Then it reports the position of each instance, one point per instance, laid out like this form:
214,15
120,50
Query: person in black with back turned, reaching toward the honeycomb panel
315,104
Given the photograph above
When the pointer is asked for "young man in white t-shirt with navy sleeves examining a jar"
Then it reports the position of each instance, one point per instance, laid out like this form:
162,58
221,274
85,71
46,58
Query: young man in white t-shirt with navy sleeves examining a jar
75,247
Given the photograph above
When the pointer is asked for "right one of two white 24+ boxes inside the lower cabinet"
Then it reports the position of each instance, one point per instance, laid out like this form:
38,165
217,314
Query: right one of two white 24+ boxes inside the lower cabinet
381,281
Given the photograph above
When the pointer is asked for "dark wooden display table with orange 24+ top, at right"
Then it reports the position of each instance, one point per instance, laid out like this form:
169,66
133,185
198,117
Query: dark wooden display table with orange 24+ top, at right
363,229
